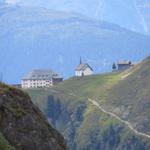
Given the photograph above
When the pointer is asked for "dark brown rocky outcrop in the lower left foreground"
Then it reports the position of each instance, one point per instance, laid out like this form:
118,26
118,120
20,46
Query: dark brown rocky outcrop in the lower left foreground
23,124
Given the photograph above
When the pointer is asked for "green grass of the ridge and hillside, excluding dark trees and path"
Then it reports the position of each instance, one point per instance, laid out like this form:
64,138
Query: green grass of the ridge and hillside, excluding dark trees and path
112,91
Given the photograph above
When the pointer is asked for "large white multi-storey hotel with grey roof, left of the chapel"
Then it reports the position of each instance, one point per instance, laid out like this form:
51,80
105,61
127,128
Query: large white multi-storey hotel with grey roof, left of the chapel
40,79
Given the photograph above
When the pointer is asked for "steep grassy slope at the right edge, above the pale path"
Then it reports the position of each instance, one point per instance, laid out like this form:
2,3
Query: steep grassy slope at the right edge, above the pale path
130,99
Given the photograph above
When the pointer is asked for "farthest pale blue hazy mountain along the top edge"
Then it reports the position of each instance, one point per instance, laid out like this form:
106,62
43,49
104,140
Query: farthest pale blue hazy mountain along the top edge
132,14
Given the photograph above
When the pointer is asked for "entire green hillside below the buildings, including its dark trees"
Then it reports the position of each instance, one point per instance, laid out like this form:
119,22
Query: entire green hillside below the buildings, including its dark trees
84,125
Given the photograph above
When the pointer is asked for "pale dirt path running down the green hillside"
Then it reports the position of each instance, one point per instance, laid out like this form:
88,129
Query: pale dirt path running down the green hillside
95,103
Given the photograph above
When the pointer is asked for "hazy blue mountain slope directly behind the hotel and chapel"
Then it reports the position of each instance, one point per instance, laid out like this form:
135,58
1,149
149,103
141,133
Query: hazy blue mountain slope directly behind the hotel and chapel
58,40
